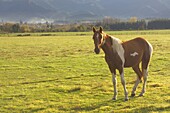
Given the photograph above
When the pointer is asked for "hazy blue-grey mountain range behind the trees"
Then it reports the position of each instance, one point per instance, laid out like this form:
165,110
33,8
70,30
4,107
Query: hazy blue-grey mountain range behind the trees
67,10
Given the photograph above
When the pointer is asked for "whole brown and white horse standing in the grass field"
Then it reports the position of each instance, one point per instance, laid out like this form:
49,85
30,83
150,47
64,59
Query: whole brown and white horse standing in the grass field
120,54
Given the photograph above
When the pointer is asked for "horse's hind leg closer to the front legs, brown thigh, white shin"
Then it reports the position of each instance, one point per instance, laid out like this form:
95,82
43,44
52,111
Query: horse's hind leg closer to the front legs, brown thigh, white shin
139,75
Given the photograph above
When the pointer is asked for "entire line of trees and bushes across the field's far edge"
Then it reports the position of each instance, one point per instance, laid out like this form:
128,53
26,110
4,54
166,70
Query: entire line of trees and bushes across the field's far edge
107,23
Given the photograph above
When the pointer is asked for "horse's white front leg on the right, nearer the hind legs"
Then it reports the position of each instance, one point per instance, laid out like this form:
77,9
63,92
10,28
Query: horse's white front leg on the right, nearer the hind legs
124,84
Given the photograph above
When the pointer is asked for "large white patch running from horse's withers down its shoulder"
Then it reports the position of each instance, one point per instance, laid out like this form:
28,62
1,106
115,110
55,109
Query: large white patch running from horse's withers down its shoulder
117,46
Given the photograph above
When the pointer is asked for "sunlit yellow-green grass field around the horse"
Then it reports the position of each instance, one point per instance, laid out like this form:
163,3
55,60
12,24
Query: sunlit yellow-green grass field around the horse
60,73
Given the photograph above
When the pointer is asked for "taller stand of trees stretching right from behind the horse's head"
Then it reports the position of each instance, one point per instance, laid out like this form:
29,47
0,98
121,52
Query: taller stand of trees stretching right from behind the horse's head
134,24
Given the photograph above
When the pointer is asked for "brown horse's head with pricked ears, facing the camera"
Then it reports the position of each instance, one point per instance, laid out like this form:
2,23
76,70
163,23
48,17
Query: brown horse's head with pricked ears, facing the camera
98,38
